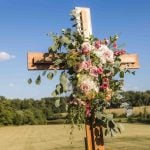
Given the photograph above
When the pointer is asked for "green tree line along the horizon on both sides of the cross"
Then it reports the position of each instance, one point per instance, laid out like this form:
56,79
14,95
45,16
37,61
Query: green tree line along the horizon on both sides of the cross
31,111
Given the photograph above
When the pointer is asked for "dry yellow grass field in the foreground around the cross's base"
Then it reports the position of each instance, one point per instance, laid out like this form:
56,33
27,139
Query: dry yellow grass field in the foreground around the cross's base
55,137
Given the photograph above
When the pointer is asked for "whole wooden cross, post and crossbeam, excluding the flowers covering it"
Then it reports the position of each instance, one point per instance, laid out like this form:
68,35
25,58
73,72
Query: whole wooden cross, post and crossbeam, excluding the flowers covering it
44,61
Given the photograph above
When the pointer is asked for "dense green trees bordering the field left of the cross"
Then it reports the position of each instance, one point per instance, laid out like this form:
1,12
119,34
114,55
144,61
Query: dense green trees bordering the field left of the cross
30,111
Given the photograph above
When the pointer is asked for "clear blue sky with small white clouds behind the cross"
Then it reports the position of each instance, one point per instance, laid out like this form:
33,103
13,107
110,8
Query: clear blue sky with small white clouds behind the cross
24,25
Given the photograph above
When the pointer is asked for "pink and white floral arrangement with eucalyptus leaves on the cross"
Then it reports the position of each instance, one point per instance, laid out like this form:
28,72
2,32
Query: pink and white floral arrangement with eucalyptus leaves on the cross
92,76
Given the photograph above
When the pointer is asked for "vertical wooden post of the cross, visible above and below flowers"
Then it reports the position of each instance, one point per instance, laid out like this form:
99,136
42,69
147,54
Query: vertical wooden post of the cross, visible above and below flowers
94,134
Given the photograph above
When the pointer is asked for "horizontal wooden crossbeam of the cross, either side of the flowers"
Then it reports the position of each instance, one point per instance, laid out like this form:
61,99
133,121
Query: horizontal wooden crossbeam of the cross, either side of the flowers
45,61
